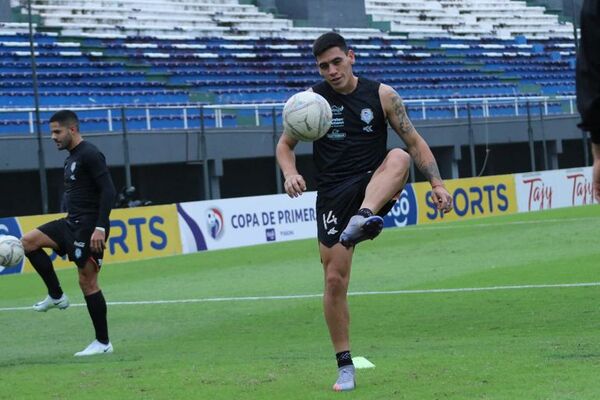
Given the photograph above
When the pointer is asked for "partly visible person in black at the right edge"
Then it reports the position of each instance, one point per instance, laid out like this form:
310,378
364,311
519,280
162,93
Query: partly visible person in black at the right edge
588,81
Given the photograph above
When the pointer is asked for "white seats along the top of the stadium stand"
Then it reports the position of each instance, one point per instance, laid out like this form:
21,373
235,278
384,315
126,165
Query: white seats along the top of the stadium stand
467,19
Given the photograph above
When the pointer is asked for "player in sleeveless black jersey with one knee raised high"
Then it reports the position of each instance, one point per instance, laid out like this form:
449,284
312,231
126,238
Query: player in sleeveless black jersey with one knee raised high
358,179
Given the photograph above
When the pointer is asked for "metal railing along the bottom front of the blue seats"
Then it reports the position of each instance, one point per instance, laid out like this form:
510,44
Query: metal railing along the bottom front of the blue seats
19,121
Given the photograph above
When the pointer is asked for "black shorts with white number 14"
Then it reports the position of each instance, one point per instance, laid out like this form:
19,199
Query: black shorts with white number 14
334,211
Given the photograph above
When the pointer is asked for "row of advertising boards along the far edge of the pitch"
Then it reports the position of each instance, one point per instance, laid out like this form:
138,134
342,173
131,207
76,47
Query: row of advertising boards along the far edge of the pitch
149,232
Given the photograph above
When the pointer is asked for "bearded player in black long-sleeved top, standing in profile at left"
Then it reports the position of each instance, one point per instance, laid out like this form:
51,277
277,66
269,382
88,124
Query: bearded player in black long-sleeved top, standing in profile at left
82,234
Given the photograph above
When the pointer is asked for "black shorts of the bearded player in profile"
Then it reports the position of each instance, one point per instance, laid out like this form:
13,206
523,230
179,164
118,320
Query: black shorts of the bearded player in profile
73,239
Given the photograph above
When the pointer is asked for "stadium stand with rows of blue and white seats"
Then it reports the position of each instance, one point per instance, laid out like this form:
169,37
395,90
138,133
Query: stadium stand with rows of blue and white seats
151,53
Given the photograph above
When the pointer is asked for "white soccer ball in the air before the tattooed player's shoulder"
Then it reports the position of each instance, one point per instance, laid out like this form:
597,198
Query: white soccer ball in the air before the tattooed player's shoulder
306,116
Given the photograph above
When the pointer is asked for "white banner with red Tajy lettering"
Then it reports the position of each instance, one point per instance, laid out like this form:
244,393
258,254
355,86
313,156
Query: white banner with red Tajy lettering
554,189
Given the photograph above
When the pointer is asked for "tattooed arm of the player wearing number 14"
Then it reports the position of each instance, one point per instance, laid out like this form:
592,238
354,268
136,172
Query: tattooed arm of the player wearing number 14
416,145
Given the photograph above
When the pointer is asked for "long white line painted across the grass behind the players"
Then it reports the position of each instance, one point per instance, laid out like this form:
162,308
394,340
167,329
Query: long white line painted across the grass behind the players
310,296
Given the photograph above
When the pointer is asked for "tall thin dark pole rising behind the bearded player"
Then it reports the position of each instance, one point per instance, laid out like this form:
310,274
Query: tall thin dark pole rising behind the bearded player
38,124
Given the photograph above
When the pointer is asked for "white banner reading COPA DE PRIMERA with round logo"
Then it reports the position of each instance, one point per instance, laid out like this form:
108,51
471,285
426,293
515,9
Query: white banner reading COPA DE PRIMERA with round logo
227,223
